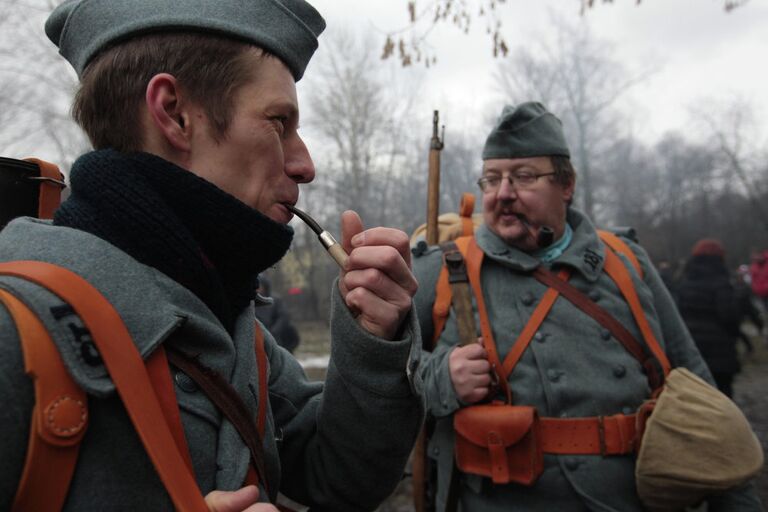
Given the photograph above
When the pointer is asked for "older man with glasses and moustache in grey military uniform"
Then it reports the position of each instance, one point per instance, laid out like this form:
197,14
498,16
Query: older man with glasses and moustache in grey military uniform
563,441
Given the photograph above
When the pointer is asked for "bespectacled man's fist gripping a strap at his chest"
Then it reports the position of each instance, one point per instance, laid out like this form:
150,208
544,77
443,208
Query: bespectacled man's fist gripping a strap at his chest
470,372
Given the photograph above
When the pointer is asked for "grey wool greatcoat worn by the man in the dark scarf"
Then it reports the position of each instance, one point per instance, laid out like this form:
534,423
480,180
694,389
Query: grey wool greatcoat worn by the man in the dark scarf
339,447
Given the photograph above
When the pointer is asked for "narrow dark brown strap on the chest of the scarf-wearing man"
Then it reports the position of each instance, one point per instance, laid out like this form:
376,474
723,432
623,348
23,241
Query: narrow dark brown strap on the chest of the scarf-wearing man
226,399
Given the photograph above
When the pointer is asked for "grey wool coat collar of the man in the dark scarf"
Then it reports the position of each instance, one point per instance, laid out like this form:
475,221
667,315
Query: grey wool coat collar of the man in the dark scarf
151,317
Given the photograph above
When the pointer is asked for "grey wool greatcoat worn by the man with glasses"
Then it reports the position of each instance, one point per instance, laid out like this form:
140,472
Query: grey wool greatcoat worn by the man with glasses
572,368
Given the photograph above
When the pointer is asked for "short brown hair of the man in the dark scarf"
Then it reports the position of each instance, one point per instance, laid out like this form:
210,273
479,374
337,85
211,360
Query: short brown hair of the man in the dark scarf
209,68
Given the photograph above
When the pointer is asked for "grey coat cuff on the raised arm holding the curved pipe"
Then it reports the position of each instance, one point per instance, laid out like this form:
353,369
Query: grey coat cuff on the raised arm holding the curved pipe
383,367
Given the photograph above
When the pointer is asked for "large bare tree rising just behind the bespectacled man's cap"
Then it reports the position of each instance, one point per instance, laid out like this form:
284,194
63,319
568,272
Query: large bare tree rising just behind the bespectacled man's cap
577,77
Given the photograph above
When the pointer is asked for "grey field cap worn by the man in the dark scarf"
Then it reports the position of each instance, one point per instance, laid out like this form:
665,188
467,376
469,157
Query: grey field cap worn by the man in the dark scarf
286,28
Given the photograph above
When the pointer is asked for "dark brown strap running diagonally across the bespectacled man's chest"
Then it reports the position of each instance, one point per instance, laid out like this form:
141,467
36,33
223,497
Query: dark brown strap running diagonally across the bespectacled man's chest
584,303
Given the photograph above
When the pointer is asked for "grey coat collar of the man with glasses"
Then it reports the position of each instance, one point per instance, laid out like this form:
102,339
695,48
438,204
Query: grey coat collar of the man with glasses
585,254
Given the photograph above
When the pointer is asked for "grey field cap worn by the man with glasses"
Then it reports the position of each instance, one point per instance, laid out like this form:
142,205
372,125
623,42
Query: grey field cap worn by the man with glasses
525,131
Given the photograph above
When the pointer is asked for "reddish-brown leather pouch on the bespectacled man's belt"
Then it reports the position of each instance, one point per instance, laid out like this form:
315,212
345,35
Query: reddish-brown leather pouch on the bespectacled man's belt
499,441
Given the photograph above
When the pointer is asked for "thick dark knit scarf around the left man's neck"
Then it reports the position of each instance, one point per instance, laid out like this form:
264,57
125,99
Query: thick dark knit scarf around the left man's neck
172,220
